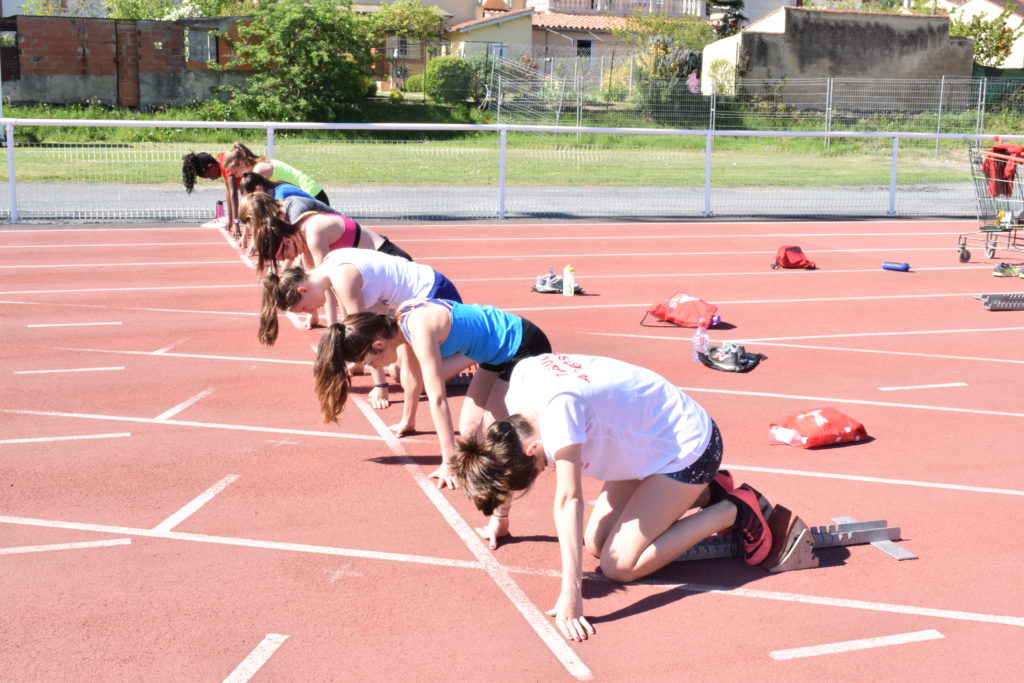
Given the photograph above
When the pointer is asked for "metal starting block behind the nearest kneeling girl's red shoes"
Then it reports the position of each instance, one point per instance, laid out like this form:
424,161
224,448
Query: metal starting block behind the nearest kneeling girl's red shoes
794,542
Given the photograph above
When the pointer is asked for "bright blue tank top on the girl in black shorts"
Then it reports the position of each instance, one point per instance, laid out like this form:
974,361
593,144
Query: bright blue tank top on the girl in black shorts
484,334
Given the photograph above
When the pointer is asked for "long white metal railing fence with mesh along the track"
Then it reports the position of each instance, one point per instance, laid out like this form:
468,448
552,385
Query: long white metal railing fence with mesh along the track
501,172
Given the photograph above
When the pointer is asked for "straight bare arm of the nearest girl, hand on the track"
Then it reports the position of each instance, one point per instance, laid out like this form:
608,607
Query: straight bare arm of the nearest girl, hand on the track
569,513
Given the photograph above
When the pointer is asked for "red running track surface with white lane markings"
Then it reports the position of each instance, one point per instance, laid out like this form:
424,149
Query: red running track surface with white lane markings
331,538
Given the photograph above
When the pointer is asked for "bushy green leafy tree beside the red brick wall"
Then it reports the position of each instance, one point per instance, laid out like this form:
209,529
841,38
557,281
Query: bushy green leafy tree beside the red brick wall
309,59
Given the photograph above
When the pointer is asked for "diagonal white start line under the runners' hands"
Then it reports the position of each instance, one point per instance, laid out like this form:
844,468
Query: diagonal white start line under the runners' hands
548,634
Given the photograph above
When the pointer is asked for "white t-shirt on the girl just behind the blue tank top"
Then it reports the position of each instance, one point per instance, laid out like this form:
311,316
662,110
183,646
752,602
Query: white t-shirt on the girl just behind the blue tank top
388,281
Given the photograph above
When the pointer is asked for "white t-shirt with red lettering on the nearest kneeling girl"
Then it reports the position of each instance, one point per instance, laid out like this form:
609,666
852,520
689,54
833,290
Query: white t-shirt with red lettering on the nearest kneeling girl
631,421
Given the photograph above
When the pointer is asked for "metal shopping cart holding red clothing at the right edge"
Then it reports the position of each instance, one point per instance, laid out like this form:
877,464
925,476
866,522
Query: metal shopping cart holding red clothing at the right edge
1001,201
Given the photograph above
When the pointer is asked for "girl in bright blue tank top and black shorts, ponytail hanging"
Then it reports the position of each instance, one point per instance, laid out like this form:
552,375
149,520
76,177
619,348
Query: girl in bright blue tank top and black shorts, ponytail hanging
434,339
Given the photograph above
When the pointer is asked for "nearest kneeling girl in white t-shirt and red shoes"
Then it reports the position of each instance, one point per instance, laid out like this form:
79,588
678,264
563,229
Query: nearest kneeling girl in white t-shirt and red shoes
655,449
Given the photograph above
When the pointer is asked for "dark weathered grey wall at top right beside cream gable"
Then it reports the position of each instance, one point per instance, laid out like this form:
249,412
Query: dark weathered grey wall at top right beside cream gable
824,44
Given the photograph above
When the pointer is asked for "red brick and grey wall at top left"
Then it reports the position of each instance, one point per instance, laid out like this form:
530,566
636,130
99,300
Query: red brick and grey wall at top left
117,63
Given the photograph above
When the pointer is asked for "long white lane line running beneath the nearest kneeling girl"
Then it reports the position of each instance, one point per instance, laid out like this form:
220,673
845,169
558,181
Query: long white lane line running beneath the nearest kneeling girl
468,565
